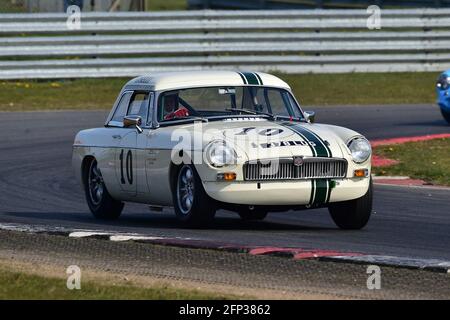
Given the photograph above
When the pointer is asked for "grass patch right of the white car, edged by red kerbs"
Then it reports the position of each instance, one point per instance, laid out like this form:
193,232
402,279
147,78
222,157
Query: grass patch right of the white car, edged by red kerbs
427,160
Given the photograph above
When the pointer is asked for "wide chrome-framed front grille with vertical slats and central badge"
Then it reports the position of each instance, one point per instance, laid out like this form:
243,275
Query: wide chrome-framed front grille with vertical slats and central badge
312,168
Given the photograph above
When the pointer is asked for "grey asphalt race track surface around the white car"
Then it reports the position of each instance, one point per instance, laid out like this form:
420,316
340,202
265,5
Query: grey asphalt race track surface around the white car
37,187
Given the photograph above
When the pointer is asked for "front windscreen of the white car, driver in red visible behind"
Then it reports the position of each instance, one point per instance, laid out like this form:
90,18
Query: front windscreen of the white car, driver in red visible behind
226,101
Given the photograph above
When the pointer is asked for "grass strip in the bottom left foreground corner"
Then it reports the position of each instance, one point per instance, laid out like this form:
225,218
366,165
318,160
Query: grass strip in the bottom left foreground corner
21,285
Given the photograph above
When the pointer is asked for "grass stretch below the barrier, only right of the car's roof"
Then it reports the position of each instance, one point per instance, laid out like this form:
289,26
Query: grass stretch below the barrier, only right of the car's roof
363,88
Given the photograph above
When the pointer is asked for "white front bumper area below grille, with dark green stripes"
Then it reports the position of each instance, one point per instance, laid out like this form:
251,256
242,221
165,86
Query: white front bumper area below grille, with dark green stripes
300,192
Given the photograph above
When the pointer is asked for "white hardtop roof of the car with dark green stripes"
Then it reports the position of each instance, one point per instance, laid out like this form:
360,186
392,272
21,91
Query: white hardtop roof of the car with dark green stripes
185,79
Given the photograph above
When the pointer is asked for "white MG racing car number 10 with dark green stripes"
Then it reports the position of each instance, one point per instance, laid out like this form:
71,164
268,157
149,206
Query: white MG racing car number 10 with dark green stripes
203,141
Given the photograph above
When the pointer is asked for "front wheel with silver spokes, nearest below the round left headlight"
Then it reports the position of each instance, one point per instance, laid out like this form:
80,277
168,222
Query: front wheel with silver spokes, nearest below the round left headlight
193,207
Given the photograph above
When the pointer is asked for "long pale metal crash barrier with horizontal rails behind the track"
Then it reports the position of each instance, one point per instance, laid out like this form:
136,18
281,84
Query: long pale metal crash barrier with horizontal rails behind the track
294,41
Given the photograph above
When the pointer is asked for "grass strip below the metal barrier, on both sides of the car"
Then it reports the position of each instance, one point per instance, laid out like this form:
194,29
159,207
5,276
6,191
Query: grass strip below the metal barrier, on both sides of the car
310,89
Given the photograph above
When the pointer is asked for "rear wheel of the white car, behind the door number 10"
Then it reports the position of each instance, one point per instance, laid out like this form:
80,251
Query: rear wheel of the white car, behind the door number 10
101,204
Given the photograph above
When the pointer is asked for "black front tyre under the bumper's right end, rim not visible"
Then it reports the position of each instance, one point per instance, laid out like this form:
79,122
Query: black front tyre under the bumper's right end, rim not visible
353,214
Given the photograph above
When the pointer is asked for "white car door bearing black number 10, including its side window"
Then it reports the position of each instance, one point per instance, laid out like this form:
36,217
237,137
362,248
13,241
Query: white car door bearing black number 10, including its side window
126,158
